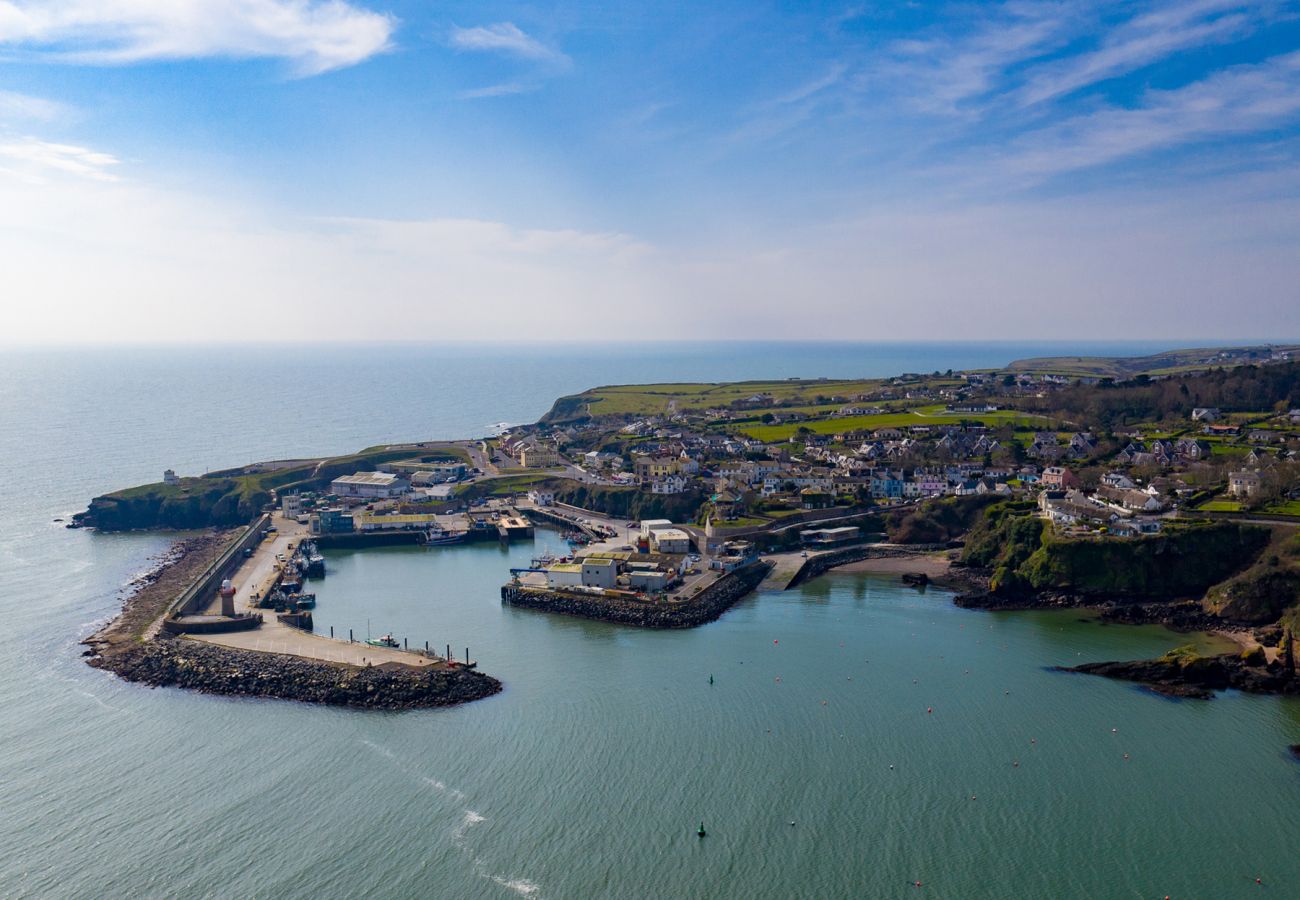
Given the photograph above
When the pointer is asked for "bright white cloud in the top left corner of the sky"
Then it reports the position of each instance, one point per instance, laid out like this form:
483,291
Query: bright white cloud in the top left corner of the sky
315,36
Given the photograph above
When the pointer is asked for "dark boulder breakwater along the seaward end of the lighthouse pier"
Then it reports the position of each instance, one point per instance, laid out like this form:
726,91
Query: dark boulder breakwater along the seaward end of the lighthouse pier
220,670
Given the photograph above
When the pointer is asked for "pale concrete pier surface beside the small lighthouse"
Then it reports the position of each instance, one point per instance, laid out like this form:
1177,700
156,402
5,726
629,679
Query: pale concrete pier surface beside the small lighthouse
274,637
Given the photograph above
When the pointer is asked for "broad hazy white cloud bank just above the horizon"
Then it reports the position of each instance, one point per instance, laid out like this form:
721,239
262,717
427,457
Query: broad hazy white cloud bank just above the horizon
96,261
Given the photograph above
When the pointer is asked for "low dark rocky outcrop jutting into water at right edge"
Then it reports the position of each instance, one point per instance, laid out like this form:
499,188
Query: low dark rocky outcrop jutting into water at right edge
1189,676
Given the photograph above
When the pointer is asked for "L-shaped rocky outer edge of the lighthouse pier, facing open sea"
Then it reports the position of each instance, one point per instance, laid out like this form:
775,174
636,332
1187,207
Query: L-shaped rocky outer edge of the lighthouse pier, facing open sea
132,647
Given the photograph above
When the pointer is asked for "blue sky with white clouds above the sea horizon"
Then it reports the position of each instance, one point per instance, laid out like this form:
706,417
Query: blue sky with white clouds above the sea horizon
419,171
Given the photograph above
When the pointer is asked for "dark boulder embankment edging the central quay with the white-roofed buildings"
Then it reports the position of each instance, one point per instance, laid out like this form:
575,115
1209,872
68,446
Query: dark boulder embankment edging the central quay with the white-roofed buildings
707,607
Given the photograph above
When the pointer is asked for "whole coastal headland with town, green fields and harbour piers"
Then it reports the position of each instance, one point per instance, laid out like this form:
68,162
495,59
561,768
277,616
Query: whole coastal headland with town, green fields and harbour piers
1156,490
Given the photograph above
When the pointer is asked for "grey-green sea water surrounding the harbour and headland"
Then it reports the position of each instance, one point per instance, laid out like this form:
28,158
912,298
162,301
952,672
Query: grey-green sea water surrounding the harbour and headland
590,774
